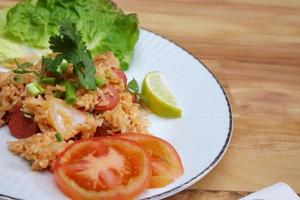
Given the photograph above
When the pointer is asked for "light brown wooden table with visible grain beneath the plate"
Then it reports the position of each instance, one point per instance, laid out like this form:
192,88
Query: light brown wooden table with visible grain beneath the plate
253,47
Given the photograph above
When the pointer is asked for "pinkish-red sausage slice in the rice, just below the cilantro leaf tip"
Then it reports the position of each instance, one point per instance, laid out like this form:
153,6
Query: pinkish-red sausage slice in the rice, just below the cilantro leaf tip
110,98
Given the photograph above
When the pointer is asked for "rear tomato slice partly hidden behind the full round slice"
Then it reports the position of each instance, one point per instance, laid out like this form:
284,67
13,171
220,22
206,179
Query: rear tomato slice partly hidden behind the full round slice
165,161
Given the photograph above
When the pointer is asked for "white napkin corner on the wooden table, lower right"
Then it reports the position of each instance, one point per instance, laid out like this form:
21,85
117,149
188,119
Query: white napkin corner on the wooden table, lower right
279,191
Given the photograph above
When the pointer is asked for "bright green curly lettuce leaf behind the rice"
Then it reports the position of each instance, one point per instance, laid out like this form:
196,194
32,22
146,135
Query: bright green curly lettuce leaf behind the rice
103,26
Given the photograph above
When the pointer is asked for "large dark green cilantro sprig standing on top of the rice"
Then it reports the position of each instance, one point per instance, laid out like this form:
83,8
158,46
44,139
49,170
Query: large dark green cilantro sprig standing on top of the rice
71,47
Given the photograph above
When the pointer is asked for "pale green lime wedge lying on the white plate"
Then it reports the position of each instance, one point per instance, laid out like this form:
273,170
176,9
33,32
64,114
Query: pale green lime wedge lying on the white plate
158,97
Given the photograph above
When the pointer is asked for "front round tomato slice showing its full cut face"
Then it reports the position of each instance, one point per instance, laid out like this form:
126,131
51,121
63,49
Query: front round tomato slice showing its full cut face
103,168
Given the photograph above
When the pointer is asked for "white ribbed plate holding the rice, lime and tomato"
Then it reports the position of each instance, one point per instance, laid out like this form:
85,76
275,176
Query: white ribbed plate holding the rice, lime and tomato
201,136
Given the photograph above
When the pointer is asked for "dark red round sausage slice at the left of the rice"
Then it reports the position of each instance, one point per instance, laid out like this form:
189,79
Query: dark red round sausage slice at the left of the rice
20,126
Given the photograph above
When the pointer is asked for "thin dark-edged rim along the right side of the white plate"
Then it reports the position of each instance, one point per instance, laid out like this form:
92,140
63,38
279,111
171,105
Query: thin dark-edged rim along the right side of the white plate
220,155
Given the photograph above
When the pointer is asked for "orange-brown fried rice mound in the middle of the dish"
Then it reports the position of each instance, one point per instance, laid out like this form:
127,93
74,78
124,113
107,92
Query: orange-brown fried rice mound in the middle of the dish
78,121
